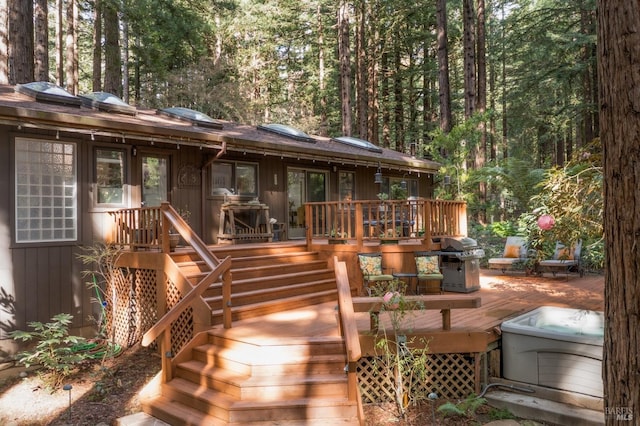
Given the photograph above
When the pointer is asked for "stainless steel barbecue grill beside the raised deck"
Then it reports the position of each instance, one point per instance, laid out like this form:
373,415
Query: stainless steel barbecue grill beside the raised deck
460,264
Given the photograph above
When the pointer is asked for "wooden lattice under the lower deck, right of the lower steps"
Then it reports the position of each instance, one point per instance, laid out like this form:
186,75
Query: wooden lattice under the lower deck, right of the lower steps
451,376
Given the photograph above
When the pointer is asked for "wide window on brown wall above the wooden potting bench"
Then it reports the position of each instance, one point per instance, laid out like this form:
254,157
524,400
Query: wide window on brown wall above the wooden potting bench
234,179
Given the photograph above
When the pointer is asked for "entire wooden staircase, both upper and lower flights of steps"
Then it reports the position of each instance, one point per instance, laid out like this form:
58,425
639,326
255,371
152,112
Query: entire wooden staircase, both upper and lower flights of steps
223,379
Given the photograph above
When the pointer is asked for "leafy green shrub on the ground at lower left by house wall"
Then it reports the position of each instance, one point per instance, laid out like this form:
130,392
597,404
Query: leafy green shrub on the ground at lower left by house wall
54,350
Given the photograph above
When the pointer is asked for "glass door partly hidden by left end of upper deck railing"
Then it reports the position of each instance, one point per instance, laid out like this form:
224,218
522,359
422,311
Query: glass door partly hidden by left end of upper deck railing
303,186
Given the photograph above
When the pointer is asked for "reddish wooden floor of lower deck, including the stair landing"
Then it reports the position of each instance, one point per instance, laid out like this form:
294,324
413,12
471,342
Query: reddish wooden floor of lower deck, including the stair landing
503,296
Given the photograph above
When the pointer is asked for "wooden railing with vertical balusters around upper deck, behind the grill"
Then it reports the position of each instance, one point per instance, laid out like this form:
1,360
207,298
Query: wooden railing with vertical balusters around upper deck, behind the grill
364,220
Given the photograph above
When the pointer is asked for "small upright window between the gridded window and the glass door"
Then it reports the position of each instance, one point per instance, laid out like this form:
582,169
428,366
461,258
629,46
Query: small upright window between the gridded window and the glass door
110,176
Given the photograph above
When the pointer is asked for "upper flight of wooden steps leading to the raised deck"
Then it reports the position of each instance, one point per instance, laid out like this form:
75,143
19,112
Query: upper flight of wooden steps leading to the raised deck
265,279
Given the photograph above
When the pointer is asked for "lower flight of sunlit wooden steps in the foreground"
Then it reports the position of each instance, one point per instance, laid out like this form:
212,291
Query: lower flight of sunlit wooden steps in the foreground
278,382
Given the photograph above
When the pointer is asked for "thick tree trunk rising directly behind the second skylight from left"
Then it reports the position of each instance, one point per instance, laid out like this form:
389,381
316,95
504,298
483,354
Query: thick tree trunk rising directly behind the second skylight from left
112,65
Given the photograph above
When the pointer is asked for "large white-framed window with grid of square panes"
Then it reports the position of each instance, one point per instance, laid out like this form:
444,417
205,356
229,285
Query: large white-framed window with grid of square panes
46,180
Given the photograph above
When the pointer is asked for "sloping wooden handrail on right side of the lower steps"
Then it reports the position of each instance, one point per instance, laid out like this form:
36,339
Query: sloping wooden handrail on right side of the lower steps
349,331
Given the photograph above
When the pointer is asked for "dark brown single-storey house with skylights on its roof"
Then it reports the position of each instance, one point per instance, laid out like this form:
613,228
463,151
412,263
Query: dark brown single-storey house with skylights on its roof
67,161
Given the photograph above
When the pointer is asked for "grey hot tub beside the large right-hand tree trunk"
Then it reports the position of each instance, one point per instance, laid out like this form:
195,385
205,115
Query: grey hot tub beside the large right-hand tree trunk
559,348
